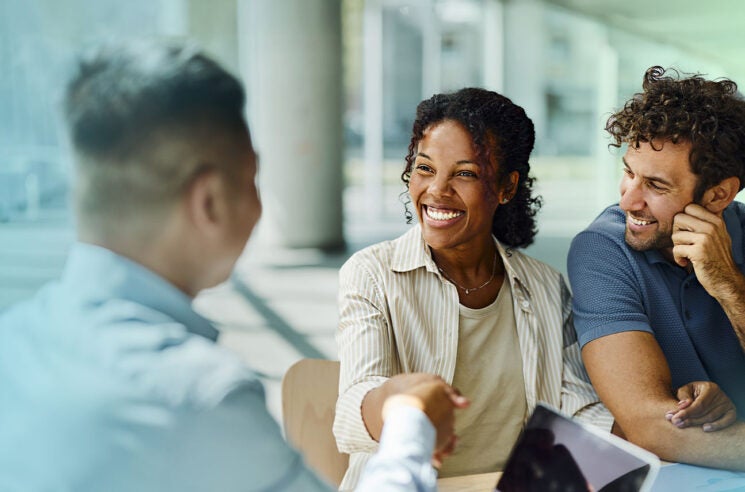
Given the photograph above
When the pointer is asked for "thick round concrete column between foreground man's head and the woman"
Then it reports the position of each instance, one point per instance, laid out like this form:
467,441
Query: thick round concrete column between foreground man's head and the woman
290,60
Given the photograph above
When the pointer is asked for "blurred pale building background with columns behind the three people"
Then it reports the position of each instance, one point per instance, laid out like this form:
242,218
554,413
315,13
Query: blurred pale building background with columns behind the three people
333,86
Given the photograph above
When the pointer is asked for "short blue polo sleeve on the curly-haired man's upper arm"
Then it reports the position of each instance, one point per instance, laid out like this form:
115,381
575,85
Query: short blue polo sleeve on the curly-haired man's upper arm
607,295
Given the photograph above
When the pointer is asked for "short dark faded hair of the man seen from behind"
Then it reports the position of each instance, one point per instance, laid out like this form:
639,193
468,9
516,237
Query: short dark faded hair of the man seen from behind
128,107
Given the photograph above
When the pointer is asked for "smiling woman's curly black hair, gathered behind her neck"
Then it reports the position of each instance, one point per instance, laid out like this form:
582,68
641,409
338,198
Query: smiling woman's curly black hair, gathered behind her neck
500,131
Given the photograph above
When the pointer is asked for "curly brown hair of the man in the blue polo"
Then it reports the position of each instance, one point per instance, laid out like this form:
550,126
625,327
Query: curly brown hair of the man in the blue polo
710,114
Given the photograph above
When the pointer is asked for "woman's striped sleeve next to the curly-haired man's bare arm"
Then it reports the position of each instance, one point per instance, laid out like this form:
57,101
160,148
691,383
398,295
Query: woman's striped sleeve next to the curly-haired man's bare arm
578,396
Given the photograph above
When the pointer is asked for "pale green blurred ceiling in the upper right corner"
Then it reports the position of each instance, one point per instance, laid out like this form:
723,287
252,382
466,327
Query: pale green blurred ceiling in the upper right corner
714,29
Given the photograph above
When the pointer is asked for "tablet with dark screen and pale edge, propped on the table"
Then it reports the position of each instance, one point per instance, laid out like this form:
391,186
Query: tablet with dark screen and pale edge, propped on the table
555,452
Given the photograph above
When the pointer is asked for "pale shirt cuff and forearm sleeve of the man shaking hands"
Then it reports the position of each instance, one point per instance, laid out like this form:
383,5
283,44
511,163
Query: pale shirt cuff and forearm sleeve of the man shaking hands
403,462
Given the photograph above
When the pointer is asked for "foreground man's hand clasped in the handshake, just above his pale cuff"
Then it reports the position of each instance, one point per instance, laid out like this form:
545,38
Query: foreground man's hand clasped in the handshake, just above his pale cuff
436,399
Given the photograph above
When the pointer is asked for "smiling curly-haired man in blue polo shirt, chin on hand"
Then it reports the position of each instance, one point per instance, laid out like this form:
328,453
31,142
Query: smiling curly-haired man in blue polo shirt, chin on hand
658,279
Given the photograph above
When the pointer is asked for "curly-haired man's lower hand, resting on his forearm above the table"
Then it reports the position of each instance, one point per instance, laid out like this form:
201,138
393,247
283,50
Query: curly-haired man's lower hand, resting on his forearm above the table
702,403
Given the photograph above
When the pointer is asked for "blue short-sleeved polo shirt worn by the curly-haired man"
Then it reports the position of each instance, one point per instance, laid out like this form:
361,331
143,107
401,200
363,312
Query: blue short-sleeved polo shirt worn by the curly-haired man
617,289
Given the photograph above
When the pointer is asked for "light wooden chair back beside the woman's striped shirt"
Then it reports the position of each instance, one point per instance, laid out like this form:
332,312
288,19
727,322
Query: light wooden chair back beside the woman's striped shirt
310,388
